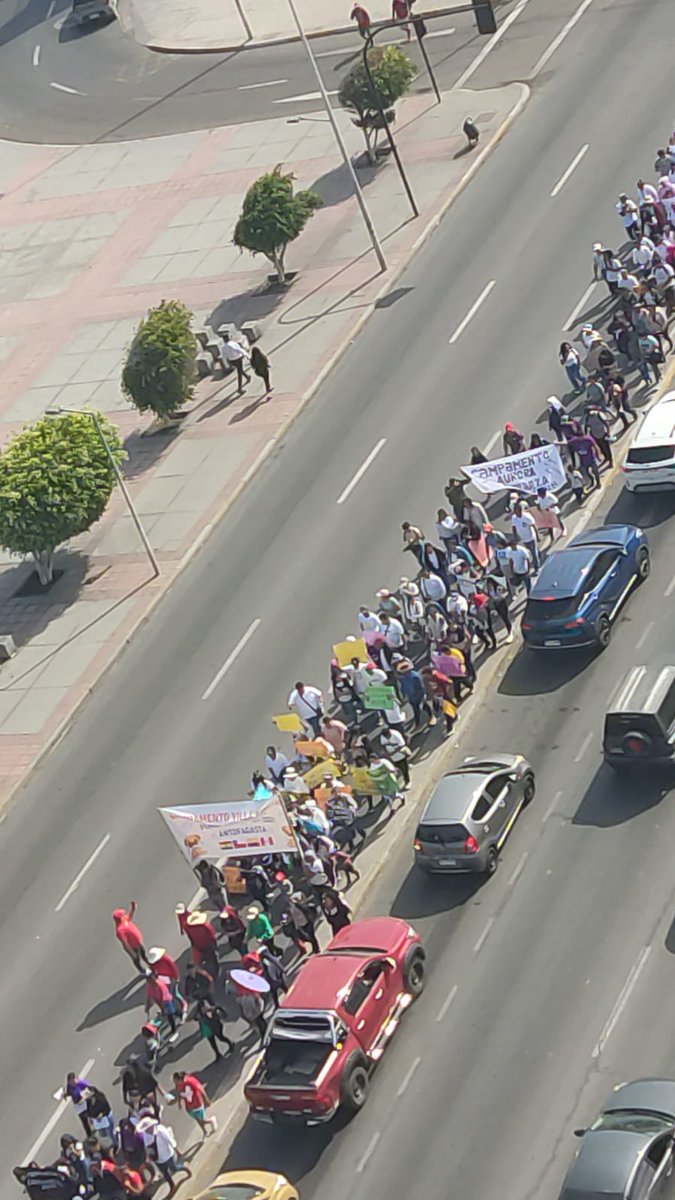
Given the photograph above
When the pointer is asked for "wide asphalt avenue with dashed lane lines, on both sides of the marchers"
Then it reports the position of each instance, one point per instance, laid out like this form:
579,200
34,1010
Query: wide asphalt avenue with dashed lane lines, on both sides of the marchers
563,963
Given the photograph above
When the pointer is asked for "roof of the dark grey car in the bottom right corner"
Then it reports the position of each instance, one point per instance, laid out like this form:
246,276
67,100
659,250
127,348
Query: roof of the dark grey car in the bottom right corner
605,1163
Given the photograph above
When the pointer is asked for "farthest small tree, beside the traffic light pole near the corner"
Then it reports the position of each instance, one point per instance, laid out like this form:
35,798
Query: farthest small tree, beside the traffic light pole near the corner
392,75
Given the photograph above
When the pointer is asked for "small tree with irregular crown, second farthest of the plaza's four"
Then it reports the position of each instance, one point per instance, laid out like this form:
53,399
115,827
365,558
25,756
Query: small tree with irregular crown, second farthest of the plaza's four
273,217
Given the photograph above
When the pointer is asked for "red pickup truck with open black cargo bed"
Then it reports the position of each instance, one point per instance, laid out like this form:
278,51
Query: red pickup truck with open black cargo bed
336,1022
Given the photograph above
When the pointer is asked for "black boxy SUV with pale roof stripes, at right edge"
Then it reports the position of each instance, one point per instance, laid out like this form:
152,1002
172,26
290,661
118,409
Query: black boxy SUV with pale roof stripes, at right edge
640,725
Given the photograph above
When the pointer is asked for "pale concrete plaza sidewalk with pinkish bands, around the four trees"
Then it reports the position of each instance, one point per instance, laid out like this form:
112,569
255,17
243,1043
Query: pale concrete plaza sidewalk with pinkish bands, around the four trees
74,286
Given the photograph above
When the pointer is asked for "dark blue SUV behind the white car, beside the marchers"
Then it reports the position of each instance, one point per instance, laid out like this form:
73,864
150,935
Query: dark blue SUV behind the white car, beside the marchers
581,589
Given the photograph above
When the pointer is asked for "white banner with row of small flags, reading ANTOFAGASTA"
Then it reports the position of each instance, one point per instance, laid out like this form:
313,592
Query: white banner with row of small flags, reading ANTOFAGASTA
237,829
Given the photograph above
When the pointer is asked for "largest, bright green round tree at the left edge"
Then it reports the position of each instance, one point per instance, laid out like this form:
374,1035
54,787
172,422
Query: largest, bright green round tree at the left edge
56,482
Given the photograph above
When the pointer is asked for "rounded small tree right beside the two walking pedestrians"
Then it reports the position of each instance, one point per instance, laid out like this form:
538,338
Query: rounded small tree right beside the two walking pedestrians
160,369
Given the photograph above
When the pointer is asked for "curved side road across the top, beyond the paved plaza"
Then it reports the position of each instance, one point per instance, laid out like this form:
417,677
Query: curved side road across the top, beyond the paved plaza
116,89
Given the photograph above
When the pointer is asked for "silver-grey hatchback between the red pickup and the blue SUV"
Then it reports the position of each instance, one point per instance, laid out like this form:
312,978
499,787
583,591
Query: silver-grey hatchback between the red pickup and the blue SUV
471,814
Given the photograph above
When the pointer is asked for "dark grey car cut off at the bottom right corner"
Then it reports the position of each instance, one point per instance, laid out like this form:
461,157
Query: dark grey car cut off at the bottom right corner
628,1153
